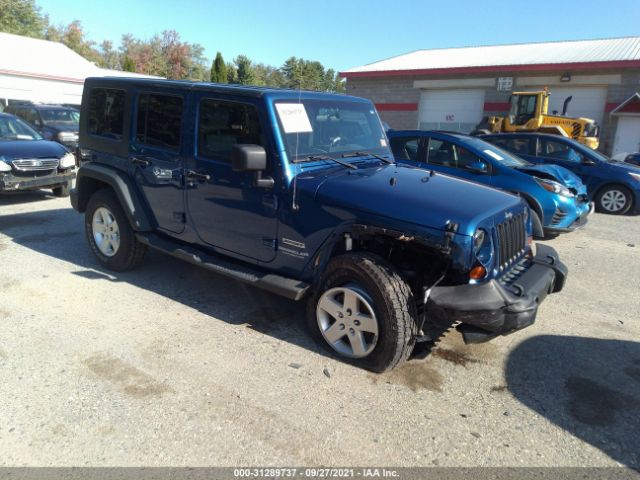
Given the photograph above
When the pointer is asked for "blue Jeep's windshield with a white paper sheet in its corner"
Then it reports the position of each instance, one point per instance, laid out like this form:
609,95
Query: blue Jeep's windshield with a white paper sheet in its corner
313,128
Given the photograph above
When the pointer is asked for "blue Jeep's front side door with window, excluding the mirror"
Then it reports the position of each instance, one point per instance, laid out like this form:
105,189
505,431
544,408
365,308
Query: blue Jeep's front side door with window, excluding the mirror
225,207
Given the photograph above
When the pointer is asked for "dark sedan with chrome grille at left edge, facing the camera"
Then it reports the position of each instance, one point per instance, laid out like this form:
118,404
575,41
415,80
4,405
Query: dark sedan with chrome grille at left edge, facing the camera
27,162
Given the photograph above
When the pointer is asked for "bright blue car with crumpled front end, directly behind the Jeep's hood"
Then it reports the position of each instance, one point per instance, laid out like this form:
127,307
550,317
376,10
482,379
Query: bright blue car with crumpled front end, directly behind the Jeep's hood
557,198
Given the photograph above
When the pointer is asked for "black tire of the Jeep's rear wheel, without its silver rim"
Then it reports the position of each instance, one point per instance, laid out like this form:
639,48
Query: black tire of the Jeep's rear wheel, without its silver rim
130,252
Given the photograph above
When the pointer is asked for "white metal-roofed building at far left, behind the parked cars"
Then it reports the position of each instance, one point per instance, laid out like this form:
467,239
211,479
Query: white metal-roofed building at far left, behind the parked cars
42,71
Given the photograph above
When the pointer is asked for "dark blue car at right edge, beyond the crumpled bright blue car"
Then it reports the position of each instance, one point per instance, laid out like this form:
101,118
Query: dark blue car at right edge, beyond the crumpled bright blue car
613,186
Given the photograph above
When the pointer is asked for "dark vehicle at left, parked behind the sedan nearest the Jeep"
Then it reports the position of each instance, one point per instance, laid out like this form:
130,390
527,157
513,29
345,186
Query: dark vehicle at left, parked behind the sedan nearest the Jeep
54,122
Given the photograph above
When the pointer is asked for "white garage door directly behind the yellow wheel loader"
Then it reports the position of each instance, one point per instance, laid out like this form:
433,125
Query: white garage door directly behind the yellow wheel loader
588,102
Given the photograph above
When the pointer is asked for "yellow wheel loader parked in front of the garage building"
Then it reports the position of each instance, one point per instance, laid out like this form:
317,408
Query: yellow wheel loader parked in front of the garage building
528,113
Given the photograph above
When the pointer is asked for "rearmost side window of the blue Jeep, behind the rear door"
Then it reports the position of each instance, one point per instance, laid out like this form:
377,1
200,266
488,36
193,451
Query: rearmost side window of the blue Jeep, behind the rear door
106,113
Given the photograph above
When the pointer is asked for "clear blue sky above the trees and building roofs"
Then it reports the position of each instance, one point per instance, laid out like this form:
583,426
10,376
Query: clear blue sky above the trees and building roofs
347,33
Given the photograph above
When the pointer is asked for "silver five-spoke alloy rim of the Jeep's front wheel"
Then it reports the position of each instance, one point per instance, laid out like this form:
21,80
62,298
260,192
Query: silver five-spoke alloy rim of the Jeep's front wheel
347,321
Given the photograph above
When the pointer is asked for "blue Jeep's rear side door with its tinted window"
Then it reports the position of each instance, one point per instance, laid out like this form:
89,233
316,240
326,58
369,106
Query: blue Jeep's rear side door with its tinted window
156,156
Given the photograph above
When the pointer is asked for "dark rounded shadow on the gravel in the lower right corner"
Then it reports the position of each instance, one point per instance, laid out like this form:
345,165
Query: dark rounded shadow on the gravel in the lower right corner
588,386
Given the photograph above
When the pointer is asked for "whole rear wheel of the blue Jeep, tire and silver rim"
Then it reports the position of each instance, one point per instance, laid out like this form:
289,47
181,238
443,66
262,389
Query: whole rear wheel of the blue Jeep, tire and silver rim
109,233
